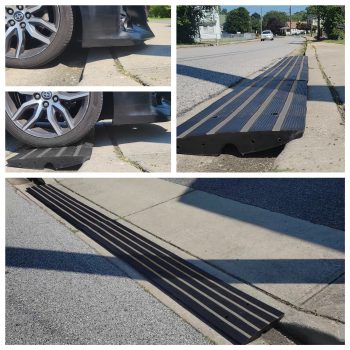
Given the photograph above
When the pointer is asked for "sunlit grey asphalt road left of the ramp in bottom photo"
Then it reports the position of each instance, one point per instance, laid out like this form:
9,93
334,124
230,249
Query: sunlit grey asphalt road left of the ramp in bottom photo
60,291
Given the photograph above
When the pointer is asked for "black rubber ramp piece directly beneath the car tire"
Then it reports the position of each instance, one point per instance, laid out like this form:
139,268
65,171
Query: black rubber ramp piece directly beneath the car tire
54,158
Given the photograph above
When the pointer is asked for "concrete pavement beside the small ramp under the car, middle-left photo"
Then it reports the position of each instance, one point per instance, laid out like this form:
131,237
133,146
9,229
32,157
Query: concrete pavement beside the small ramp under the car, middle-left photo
127,148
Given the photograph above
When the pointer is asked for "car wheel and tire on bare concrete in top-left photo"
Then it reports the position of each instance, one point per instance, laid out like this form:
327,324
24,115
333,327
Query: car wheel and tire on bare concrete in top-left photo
56,31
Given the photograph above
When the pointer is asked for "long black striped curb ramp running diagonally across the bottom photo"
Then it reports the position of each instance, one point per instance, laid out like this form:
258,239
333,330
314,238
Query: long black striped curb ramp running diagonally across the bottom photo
237,316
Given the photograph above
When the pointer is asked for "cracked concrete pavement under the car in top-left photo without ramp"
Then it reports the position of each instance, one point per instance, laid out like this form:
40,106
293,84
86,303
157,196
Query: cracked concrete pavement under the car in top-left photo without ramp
147,64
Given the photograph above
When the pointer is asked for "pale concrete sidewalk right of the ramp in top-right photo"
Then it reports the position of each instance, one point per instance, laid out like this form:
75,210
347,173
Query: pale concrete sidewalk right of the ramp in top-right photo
322,147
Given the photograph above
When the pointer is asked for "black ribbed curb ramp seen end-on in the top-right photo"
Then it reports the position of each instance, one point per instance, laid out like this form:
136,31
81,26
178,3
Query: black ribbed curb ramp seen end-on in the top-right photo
259,114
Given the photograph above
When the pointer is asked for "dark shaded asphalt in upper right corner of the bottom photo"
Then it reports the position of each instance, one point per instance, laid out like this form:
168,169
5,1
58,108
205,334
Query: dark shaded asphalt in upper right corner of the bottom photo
321,201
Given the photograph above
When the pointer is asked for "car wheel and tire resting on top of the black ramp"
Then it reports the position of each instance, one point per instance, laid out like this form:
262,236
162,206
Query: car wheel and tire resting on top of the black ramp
42,136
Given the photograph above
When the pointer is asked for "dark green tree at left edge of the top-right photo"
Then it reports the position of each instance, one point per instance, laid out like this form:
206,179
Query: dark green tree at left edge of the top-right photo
187,22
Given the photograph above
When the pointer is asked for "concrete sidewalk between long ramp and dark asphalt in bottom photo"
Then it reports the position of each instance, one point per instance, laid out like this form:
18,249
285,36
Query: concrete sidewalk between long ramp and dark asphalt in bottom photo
294,265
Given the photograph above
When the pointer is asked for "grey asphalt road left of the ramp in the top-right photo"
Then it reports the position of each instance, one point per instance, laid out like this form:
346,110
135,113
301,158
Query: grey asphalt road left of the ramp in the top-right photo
203,72
